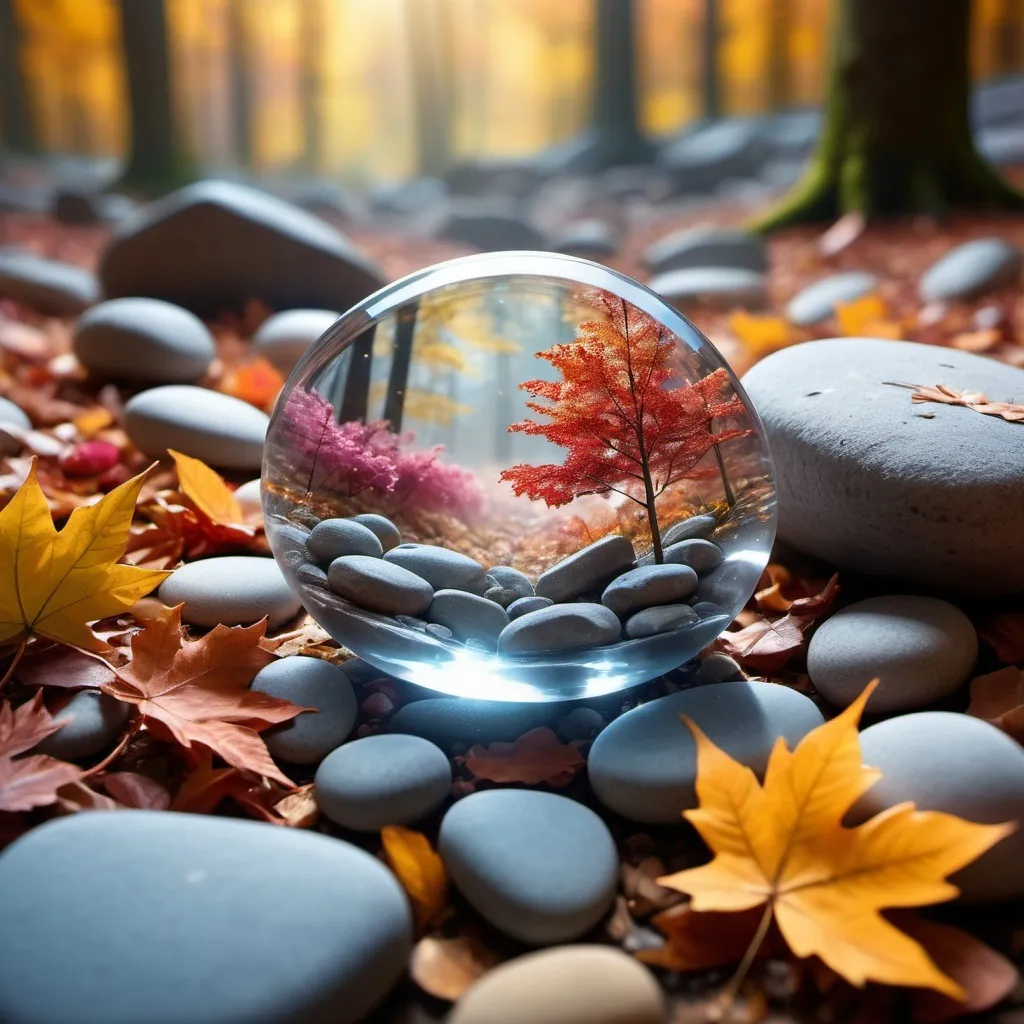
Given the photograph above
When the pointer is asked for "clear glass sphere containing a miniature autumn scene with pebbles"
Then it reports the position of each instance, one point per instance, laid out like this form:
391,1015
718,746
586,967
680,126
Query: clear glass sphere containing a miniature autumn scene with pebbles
519,477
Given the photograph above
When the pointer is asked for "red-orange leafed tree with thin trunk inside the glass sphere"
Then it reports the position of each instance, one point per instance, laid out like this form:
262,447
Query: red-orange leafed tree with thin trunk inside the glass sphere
626,428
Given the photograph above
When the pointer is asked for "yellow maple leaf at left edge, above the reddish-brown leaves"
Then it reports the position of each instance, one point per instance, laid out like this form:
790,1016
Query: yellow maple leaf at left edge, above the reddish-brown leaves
52,584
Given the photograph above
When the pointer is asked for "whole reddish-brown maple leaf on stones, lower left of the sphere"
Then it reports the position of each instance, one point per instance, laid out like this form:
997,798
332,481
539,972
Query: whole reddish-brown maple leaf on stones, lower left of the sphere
198,693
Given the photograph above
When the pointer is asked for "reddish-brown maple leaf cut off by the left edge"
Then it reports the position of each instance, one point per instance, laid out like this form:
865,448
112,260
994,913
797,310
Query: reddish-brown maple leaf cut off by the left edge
32,781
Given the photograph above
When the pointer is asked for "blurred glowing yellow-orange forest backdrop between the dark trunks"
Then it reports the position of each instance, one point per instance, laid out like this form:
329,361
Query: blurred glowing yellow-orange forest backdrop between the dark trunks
331,88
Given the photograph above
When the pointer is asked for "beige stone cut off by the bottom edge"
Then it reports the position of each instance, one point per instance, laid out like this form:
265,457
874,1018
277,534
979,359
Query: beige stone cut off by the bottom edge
581,985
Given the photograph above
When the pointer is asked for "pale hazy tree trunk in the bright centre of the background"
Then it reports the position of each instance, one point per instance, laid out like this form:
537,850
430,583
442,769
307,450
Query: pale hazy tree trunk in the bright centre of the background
431,54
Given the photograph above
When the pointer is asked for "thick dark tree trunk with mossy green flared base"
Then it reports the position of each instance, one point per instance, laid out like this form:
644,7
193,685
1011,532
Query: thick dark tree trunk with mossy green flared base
898,138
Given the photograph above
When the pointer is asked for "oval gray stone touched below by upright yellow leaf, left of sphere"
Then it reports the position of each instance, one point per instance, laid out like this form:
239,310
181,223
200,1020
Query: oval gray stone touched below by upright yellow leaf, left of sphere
224,432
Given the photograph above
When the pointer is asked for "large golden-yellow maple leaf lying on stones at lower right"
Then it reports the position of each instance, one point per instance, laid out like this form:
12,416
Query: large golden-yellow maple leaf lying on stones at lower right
784,844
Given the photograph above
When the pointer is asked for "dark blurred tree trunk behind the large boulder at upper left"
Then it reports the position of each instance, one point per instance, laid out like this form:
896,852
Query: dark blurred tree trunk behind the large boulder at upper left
156,159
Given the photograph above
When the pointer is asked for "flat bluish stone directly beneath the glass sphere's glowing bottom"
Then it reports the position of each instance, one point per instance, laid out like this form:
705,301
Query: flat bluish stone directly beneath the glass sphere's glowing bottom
460,720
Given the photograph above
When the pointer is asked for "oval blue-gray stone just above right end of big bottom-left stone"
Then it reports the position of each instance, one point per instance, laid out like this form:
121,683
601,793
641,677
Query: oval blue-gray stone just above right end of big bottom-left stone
382,781
